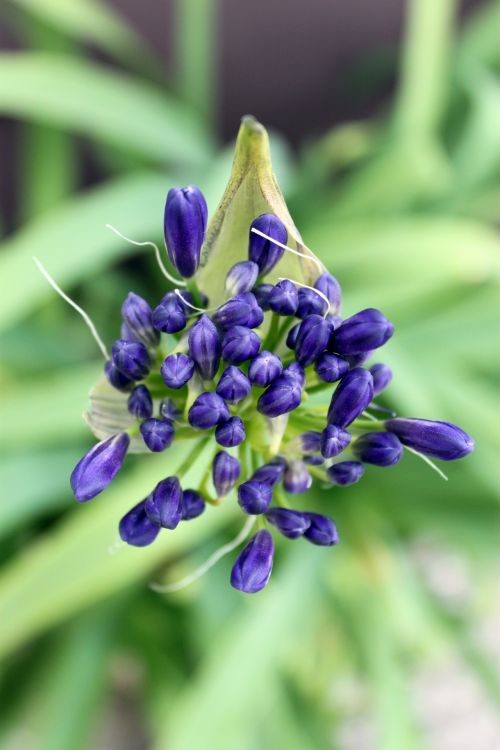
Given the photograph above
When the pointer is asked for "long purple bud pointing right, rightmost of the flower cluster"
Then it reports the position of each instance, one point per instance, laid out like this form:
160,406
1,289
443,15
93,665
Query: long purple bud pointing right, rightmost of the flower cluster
438,439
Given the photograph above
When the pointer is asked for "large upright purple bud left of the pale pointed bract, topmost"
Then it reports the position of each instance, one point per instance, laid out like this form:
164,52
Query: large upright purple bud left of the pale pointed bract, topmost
185,223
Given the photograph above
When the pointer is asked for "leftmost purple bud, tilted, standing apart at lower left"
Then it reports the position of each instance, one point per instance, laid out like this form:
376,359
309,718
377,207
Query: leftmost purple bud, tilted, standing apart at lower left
99,467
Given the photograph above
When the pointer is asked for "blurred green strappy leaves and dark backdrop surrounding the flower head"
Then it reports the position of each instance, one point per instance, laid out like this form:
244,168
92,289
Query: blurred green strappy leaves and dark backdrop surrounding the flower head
385,123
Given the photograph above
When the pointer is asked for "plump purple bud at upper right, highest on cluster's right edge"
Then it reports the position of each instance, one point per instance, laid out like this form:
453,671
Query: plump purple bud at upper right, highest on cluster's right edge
362,332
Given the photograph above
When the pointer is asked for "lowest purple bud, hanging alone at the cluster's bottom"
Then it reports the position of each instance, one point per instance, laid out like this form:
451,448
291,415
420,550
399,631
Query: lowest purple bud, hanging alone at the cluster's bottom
252,568
